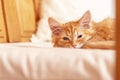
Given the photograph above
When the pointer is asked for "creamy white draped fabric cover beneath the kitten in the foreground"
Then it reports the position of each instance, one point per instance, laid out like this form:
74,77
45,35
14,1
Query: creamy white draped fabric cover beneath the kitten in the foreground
28,61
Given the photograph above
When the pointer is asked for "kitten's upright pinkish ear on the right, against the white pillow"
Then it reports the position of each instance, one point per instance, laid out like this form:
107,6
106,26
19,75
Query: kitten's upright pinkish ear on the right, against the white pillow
86,20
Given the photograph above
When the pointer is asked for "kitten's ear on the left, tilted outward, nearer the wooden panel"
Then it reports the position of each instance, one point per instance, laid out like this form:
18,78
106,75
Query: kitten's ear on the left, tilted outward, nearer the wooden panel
54,26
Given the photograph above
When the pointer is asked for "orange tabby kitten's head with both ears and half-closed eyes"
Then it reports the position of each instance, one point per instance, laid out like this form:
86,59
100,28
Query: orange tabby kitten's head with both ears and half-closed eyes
71,34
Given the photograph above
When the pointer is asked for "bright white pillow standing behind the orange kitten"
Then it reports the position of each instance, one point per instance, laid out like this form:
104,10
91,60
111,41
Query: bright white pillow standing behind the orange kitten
68,10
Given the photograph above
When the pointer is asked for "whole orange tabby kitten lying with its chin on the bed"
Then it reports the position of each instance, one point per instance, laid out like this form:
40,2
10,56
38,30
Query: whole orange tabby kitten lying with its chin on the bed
83,33
